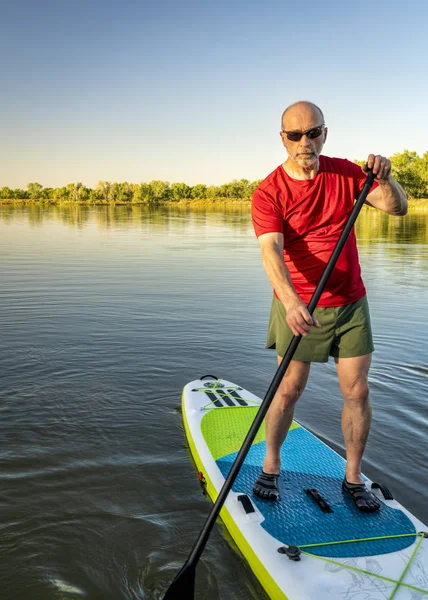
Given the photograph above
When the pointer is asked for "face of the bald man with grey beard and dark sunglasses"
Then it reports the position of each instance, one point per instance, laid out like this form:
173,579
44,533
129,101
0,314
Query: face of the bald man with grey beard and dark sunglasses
304,152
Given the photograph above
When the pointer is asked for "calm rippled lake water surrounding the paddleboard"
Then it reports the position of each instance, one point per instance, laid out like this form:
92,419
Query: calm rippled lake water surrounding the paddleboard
105,314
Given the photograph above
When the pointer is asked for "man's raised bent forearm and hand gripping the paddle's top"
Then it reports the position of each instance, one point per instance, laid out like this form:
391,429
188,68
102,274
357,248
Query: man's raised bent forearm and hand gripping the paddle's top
389,196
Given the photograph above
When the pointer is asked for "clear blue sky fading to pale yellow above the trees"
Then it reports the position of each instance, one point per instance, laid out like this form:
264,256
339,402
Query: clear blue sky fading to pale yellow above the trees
193,91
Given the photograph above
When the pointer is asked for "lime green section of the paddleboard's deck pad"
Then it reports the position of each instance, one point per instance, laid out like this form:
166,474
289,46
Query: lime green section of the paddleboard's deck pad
224,429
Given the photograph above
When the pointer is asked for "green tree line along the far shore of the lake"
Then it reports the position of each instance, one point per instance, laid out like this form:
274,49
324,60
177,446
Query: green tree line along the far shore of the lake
408,168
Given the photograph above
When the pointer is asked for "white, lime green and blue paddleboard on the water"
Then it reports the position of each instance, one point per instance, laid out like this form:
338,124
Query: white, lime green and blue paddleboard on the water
313,543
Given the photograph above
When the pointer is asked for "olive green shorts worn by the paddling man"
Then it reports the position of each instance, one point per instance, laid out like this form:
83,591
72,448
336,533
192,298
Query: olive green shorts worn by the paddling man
345,332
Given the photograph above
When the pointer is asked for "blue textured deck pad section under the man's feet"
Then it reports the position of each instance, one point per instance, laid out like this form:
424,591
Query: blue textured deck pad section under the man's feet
298,520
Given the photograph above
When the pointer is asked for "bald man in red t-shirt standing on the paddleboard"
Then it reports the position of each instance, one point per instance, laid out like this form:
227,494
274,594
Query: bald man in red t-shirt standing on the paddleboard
299,212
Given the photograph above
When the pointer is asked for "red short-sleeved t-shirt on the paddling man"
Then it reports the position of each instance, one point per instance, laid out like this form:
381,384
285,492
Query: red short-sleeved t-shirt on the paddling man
311,214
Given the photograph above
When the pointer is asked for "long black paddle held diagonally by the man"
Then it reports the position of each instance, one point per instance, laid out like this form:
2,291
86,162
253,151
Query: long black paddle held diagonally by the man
183,586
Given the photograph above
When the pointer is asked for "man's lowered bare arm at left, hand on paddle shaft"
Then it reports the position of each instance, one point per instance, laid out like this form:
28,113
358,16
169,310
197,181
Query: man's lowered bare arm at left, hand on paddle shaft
298,318
